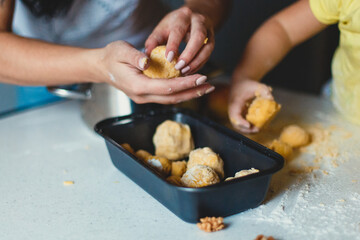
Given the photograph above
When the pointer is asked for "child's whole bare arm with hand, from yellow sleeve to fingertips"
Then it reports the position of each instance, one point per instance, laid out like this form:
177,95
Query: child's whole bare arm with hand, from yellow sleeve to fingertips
266,48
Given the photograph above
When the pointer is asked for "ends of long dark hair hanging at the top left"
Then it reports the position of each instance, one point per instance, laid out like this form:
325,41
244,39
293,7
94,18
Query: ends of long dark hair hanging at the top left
48,8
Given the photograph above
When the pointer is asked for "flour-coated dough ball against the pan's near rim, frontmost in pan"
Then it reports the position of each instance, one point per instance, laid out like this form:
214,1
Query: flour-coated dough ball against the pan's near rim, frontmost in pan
199,176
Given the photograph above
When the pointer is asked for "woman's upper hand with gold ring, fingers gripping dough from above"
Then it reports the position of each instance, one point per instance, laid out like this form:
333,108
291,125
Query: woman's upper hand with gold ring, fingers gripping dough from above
194,28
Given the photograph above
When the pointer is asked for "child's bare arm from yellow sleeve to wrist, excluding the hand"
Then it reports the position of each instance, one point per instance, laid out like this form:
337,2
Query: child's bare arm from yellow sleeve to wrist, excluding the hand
274,39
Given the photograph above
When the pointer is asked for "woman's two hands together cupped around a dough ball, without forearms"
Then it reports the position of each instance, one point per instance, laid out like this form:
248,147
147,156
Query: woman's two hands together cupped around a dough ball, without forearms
123,65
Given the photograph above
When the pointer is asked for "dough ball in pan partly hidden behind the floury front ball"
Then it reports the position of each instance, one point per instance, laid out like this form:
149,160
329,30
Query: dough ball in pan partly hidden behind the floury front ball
206,156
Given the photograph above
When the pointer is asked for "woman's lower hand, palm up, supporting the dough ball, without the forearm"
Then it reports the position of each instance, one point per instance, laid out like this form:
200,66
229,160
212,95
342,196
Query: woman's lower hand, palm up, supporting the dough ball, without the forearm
121,65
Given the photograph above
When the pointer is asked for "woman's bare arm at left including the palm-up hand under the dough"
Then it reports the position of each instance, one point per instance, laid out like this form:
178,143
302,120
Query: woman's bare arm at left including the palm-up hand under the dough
26,61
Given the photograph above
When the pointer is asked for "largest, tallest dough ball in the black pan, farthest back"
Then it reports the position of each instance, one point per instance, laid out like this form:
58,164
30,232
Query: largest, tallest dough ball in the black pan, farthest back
173,140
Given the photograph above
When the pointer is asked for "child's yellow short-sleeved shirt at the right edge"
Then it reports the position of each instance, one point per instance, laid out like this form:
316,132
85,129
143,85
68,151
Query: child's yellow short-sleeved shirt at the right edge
346,60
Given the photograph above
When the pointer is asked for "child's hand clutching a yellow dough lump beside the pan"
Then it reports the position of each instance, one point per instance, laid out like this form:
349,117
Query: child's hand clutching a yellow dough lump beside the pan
242,92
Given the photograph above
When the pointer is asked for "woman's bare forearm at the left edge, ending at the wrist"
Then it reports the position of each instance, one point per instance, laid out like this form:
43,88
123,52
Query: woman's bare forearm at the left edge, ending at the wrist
31,62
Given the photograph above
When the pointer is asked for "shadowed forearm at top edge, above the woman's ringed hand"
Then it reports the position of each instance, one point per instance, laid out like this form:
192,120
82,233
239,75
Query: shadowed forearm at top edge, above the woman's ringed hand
214,10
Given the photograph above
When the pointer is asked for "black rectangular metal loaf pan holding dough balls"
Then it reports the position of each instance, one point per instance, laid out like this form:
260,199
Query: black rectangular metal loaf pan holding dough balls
190,204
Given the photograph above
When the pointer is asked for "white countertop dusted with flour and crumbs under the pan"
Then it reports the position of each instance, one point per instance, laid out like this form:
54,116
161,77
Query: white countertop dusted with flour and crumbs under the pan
41,148
